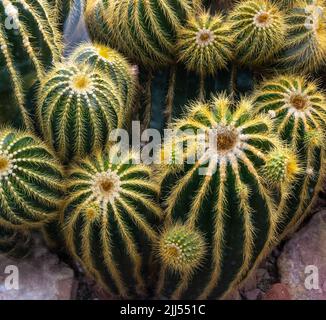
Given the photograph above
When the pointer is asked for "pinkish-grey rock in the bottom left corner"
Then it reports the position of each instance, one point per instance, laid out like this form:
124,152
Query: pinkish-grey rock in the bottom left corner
41,276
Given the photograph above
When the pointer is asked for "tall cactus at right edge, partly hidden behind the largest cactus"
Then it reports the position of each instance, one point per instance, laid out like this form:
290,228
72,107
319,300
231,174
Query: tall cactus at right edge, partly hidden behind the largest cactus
298,108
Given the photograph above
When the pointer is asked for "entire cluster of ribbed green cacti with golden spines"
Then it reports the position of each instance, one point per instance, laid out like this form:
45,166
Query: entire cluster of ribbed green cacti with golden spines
251,167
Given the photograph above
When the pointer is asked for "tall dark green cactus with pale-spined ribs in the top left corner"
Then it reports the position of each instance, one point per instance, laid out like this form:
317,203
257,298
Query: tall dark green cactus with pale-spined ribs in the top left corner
29,42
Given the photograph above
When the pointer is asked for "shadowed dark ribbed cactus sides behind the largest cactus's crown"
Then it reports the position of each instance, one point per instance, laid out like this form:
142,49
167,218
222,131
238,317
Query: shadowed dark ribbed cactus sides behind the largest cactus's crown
164,99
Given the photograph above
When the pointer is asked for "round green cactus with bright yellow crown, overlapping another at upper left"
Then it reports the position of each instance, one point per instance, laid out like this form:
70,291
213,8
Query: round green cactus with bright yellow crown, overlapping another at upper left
78,107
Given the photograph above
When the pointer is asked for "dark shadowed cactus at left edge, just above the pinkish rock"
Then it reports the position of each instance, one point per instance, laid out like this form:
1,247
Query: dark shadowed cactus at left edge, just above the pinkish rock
14,243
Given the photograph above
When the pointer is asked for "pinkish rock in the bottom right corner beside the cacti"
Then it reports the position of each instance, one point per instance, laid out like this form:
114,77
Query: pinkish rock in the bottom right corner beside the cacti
302,264
